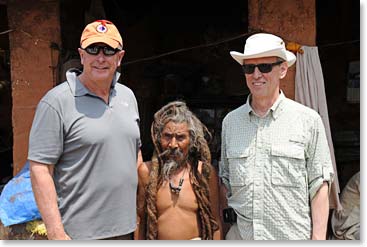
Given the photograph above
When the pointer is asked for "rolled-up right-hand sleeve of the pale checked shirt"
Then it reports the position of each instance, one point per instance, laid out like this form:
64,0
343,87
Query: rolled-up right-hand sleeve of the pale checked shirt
319,164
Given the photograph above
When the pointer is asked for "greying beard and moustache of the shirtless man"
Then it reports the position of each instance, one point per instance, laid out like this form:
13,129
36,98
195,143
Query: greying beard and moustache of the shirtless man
170,165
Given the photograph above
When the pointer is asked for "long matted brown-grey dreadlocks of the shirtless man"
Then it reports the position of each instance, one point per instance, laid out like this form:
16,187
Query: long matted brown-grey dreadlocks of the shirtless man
178,112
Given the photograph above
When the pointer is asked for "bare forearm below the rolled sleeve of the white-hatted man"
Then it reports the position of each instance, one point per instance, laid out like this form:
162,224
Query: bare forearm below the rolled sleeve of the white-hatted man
320,213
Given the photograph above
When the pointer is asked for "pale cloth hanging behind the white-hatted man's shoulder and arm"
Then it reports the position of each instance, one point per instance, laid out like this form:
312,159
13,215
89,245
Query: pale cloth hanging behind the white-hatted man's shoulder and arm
310,91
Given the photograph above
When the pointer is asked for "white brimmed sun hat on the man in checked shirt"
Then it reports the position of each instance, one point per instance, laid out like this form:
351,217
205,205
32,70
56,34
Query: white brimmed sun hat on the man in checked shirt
264,45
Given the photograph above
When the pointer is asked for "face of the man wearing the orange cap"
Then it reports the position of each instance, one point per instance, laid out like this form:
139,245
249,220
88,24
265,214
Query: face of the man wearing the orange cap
100,68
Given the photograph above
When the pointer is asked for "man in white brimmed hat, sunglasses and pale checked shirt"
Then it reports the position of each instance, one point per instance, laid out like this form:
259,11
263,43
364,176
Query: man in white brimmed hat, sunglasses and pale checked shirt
275,160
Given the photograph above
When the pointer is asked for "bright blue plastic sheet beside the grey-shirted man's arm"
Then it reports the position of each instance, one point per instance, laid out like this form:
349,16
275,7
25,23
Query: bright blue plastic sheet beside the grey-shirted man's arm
17,203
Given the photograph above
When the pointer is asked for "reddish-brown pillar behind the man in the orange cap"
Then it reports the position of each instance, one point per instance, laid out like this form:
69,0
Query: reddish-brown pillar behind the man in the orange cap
35,26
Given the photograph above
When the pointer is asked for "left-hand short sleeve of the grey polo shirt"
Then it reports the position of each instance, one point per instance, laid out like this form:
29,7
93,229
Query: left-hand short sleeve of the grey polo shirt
46,137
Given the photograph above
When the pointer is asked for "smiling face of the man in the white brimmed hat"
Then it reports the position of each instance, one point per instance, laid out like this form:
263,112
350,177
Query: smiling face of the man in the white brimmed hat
265,85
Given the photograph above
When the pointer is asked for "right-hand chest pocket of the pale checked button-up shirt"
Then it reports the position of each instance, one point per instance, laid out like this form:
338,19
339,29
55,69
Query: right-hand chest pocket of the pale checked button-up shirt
286,164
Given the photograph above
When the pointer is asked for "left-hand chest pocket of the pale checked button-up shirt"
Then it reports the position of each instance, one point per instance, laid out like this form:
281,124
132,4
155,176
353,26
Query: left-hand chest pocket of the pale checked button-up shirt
239,162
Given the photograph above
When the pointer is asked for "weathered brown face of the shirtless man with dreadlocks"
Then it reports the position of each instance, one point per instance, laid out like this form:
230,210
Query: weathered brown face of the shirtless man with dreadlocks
175,137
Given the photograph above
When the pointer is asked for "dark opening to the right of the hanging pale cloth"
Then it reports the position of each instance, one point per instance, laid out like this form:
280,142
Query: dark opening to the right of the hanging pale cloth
338,39
